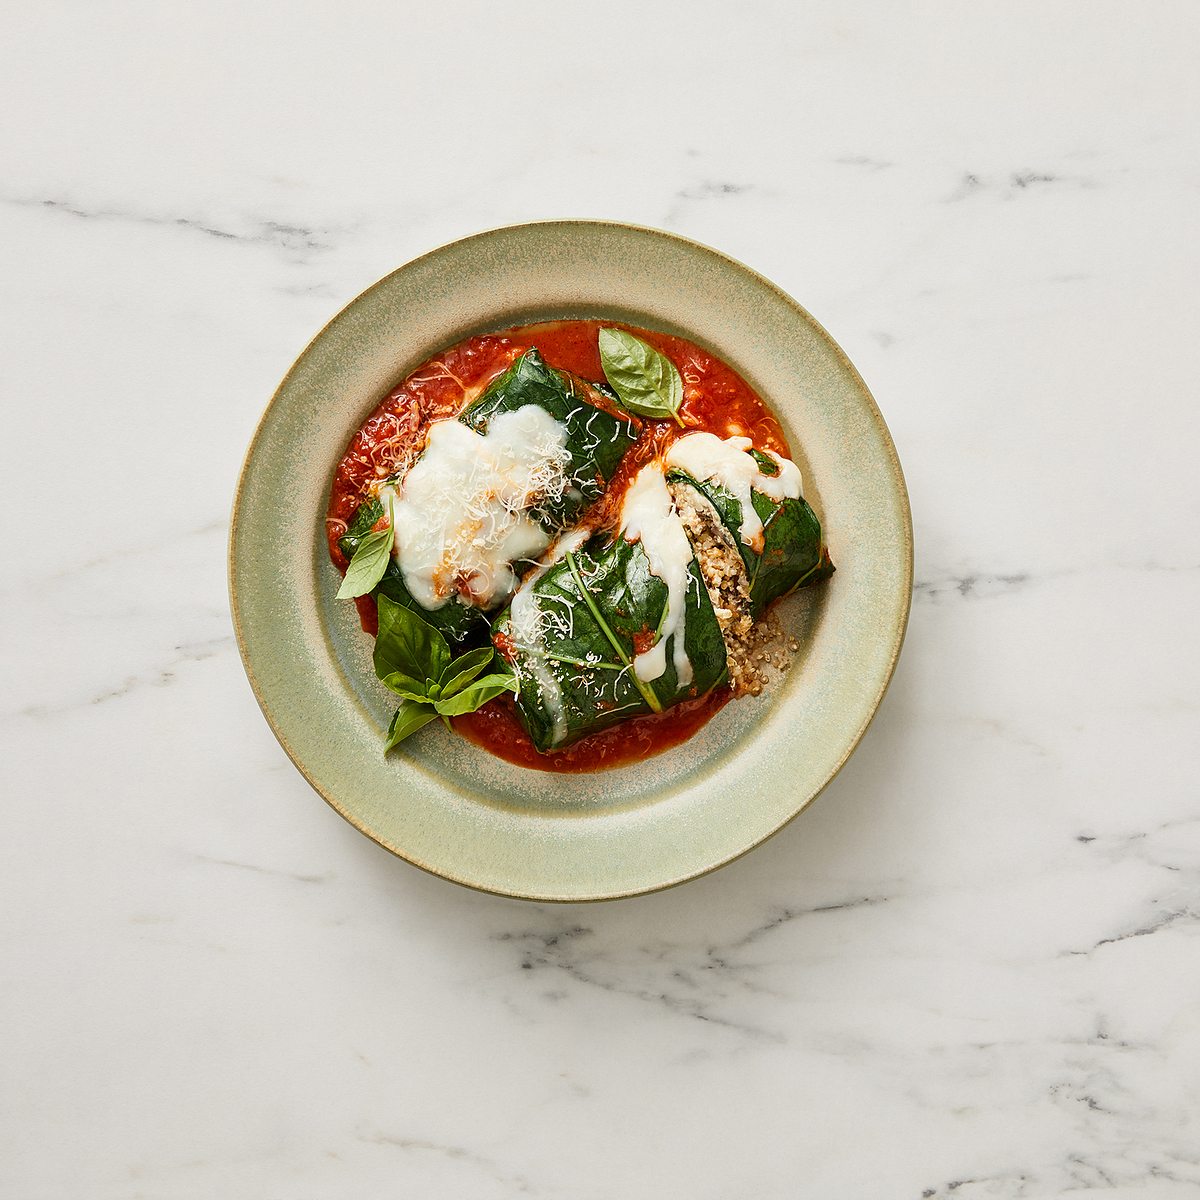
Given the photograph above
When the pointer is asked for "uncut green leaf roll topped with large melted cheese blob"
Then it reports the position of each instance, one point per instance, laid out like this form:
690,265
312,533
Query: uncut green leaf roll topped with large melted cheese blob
491,491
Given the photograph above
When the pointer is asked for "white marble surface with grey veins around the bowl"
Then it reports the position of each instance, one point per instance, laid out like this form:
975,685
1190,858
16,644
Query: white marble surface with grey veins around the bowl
970,970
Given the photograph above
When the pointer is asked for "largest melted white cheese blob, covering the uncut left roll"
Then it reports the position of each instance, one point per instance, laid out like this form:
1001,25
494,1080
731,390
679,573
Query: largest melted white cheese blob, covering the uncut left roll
461,518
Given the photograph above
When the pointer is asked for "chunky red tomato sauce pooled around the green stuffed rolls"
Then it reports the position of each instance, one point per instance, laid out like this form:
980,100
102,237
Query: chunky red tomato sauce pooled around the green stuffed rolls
717,400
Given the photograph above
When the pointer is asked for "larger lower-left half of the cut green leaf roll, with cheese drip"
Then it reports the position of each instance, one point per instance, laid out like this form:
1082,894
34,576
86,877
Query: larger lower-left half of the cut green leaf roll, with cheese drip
613,626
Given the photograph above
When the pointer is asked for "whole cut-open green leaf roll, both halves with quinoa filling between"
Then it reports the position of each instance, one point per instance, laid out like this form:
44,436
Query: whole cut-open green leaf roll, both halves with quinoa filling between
611,627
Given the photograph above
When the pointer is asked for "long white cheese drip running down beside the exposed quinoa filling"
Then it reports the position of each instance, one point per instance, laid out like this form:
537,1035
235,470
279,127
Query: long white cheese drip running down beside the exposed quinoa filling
649,515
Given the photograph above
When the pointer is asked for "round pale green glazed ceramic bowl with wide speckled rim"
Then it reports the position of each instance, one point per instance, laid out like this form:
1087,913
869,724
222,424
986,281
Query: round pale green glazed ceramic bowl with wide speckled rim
440,802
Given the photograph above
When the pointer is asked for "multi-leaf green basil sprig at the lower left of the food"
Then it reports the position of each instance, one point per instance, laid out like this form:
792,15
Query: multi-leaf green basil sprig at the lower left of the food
413,661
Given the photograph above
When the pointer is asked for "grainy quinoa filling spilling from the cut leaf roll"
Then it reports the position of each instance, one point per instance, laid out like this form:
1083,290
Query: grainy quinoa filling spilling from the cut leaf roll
753,647
